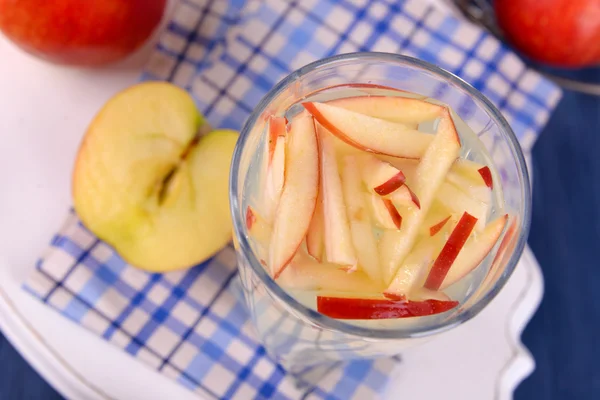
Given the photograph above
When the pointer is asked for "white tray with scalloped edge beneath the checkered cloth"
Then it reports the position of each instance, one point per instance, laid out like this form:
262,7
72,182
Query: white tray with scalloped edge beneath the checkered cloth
45,110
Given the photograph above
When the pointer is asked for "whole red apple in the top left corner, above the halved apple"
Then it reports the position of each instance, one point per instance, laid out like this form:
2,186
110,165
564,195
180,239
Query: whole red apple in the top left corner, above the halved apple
80,32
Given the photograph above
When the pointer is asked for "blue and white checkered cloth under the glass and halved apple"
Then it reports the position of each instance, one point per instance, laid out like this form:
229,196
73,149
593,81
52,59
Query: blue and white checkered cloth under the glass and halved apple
192,325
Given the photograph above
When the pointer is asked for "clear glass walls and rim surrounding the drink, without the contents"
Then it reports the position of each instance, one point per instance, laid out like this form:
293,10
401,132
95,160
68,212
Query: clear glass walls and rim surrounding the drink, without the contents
299,337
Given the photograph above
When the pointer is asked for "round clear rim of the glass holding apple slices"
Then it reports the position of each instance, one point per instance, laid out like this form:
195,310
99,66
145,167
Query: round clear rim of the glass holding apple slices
340,325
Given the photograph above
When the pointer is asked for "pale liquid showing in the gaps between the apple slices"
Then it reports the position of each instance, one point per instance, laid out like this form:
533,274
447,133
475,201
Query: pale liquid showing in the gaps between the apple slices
471,149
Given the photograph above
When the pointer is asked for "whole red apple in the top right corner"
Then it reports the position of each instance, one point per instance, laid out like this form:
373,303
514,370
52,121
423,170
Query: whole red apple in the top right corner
558,32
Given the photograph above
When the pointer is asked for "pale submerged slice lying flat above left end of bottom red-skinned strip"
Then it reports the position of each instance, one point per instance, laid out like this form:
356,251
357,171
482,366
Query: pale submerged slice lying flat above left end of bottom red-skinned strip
304,273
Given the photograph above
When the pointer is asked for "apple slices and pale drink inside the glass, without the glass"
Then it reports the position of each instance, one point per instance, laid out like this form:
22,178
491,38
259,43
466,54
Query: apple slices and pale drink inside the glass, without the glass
374,204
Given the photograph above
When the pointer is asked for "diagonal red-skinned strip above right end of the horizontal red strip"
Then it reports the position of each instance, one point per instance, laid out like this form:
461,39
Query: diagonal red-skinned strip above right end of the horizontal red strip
450,252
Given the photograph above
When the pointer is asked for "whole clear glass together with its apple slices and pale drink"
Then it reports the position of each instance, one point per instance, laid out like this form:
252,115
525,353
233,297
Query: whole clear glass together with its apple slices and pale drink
369,218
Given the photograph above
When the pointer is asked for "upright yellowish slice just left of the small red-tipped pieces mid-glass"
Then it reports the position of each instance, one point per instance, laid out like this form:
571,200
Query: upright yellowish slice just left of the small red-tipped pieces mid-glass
361,228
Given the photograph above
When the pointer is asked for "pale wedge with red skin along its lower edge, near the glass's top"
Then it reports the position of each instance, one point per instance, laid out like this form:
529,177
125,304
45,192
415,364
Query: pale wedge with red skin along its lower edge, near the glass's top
370,134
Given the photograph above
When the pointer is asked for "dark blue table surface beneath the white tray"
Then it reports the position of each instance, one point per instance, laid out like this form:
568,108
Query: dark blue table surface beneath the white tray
564,335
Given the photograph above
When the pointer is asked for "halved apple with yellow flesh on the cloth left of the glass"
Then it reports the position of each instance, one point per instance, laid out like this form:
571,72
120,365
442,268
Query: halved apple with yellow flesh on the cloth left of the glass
147,184
